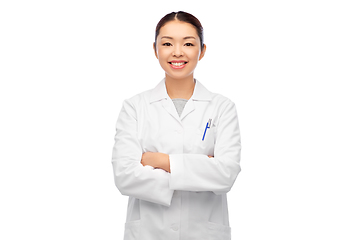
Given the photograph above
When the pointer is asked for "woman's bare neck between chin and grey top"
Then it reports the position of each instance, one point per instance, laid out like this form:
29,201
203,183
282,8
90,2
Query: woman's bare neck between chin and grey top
180,88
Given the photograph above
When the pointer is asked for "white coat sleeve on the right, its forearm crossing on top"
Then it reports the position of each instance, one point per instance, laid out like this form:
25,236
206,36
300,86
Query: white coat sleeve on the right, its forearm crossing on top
198,172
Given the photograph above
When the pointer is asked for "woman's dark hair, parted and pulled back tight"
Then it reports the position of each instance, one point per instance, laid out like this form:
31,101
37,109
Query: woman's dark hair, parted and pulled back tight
183,17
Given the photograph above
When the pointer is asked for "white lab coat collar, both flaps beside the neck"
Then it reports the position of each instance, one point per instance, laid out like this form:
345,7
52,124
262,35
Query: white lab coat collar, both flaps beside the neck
200,92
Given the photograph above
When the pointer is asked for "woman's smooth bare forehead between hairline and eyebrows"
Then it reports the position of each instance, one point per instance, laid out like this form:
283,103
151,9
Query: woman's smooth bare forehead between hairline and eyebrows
178,29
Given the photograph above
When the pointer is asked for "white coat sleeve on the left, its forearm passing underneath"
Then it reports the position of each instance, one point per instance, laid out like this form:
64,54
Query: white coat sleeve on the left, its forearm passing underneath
131,177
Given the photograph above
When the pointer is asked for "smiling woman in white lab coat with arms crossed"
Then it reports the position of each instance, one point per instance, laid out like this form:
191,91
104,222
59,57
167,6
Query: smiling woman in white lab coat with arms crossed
177,146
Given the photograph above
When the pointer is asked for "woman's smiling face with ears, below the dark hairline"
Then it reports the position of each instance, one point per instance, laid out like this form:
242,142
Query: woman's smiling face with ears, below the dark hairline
178,49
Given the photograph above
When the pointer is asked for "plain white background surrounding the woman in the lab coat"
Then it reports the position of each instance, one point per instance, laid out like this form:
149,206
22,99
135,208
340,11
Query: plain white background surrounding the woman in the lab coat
291,67
